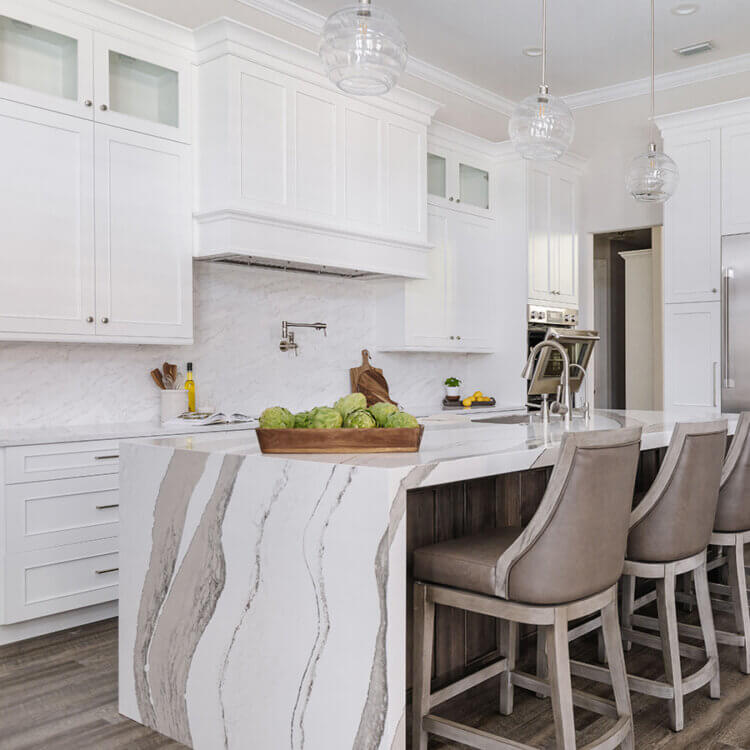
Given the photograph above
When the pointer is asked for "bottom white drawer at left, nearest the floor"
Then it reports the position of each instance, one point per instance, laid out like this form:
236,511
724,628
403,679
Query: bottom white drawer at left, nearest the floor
45,582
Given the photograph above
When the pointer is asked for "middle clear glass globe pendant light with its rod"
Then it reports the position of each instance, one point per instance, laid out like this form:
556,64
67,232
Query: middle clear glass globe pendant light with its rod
542,126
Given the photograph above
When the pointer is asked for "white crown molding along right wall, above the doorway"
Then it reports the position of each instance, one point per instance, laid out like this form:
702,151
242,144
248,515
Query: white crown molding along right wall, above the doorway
664,81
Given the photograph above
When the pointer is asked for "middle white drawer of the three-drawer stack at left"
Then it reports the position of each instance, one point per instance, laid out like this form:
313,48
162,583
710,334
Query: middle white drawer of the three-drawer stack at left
62,511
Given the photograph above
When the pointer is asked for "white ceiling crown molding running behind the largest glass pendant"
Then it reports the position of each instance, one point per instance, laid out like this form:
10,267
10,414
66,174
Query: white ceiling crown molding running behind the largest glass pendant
309,20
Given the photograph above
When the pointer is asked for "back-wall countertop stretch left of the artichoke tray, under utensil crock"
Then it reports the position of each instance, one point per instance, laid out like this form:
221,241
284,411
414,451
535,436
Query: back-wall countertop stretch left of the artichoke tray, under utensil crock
107,431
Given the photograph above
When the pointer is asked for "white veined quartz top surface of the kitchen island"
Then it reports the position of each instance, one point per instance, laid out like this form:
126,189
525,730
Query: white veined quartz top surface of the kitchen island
456,446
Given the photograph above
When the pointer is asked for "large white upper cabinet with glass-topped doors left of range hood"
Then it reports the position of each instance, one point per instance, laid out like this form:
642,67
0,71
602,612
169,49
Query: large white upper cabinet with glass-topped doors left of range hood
98,216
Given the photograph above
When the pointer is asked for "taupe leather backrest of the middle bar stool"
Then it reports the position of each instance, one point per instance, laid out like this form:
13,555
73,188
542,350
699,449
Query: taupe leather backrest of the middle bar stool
676,516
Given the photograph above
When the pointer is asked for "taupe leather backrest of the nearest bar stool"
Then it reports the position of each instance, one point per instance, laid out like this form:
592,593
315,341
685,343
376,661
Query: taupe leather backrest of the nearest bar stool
574,546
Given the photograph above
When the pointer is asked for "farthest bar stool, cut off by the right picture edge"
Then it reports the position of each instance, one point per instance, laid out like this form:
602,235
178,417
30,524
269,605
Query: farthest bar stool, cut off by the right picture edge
732,531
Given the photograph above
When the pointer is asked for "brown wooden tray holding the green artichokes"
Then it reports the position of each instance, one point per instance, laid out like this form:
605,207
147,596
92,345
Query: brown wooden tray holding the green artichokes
375,440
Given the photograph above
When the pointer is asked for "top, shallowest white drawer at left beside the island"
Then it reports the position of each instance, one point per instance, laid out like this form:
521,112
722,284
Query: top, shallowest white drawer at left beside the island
33,463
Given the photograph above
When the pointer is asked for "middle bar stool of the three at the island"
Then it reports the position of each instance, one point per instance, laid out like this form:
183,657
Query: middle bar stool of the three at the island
669,532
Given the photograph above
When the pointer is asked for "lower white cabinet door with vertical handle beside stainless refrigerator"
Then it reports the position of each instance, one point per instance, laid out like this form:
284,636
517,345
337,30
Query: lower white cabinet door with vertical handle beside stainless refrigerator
692,336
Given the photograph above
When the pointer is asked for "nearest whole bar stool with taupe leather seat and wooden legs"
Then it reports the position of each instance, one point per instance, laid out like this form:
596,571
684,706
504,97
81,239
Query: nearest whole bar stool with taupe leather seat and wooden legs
563,565
